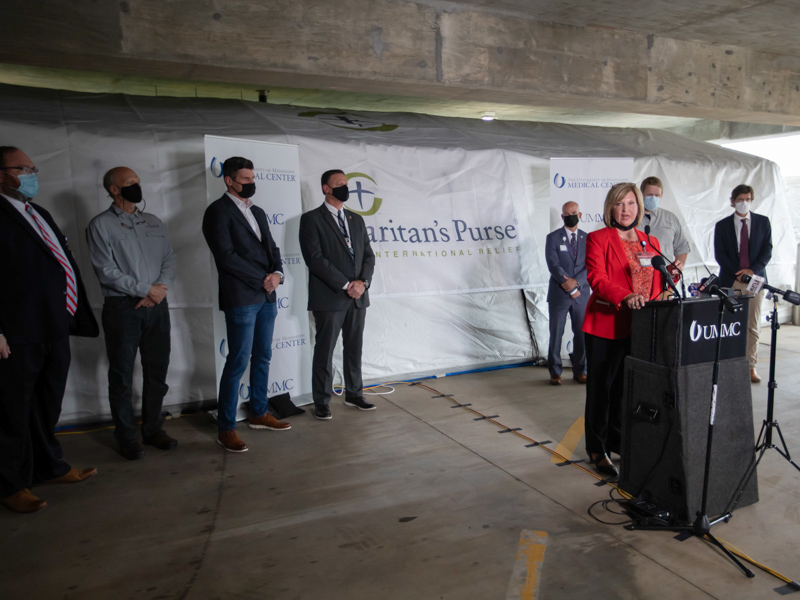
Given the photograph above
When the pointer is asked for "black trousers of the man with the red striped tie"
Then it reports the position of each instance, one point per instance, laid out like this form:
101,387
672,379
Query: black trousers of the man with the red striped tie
32,383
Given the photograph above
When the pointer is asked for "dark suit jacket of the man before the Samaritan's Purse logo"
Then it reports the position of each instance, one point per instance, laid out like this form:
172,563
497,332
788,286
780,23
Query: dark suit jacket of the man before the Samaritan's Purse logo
330,266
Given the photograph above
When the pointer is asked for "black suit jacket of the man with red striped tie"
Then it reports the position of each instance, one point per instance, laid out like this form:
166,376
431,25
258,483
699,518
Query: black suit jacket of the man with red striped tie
33,307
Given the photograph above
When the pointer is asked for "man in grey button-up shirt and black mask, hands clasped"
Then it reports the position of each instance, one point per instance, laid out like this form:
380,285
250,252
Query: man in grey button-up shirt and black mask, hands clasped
135,264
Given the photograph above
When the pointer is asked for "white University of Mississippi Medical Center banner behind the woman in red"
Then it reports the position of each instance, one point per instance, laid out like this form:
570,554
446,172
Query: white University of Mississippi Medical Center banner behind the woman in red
585,181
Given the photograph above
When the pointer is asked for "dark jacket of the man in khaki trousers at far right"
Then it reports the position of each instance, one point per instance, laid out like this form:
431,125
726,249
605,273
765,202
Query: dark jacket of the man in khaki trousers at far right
726,247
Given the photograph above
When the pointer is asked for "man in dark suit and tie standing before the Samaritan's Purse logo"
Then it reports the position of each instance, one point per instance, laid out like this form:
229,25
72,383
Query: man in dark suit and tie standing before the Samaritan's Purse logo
340,263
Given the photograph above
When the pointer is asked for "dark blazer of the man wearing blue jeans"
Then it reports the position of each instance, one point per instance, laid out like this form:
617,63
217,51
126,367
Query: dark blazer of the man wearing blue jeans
242,260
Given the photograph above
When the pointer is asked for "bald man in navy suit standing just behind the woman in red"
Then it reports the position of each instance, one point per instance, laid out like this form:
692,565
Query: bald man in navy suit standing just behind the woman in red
568,292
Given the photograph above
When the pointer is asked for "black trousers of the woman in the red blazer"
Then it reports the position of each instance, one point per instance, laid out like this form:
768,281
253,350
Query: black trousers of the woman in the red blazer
605,361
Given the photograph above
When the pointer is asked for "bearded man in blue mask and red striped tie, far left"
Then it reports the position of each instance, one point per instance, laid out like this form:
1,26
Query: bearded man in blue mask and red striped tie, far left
43,304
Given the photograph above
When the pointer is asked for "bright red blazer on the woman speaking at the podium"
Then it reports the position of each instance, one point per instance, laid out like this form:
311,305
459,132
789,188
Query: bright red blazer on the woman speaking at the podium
610,278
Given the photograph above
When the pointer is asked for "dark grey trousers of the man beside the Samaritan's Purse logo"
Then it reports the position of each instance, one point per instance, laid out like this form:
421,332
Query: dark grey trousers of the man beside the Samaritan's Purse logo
350,323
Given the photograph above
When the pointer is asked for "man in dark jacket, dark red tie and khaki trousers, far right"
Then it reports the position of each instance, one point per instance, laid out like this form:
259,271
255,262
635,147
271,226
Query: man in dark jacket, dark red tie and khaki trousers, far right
743,246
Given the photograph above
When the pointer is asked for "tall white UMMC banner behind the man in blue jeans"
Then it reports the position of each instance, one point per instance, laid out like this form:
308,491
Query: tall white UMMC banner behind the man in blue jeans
277,178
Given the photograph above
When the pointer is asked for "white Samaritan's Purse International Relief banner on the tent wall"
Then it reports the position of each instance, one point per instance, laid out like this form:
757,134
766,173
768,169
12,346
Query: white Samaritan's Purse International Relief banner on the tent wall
439,221
